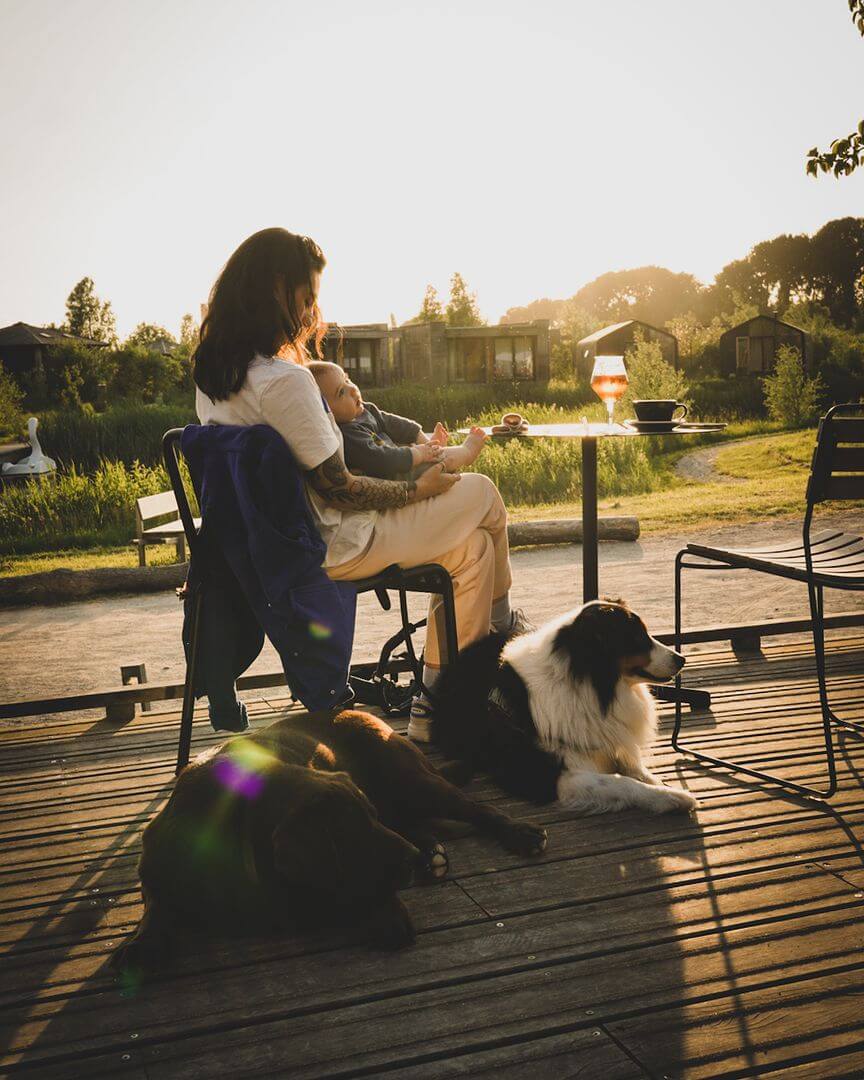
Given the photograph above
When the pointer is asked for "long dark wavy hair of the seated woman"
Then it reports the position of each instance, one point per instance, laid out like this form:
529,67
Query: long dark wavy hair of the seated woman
252,309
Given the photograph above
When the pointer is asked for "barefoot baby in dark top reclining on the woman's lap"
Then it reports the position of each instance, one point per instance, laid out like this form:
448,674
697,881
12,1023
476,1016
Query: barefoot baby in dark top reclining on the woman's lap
384,445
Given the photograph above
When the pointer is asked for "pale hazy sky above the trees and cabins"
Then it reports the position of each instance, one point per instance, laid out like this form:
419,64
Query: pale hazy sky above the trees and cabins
530,146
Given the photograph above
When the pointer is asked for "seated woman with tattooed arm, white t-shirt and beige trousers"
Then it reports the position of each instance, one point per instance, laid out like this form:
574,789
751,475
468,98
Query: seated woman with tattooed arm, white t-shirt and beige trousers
263,322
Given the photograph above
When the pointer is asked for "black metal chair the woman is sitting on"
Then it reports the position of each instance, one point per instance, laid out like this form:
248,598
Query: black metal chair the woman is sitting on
373,683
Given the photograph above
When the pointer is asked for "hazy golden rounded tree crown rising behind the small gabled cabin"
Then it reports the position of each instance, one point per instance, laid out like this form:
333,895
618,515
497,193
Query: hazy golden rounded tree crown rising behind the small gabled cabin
652,294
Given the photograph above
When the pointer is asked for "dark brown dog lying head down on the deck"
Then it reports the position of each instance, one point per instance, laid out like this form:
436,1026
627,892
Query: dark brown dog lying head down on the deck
309,821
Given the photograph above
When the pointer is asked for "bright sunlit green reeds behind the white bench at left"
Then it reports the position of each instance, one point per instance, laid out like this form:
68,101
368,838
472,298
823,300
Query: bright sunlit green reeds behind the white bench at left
76,510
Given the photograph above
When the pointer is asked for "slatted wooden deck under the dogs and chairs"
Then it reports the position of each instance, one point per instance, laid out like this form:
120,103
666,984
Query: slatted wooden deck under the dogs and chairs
724,947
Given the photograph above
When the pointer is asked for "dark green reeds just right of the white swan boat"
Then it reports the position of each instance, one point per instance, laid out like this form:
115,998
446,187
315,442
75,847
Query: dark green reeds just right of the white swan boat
84,440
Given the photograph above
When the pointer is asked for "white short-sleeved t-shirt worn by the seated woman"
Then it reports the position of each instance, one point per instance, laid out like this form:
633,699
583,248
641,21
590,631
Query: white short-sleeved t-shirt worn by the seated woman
286,396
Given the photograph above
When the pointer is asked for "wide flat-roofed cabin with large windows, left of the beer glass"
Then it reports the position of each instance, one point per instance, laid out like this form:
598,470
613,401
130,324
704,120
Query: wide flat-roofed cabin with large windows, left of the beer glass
435,354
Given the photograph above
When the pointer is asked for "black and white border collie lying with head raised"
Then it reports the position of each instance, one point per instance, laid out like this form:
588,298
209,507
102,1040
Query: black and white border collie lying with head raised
563,713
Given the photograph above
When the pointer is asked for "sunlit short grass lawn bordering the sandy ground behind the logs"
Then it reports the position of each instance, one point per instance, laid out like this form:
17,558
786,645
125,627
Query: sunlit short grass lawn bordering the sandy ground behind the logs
762,478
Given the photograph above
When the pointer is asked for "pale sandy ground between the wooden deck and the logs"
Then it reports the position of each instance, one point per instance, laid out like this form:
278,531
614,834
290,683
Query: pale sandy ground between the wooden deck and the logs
75,647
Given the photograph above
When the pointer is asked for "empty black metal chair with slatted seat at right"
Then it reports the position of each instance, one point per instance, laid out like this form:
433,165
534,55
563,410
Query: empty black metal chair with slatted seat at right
827,560
